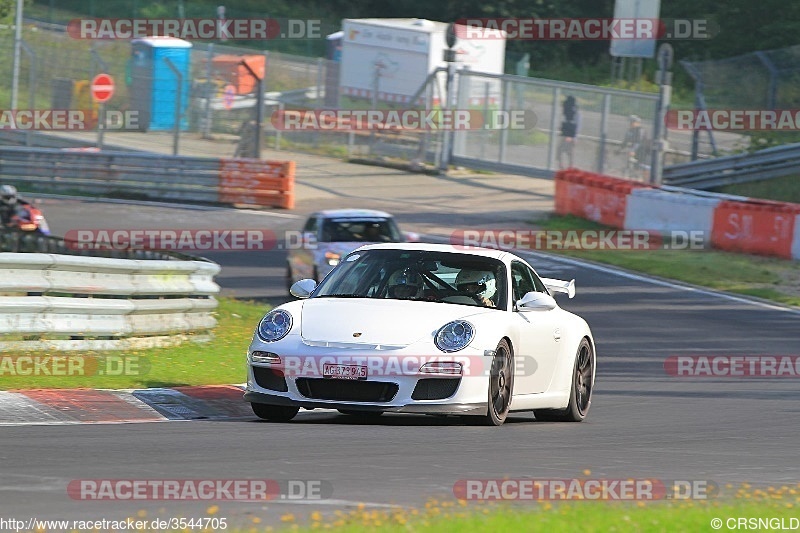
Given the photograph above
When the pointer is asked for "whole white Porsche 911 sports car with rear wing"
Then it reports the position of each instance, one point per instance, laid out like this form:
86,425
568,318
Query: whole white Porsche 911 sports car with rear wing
424,328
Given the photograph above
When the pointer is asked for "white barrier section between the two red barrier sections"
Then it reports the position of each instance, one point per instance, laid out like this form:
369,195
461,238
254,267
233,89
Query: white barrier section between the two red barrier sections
662,211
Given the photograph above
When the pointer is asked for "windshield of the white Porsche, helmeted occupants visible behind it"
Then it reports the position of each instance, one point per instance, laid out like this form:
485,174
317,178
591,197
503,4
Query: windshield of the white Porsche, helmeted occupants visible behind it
443,277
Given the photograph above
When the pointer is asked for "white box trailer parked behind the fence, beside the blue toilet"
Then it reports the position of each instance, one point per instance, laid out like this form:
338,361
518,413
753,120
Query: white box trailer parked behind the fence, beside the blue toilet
397,55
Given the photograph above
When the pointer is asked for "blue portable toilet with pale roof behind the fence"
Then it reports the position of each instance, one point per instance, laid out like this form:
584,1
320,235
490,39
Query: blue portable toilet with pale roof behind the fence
154,86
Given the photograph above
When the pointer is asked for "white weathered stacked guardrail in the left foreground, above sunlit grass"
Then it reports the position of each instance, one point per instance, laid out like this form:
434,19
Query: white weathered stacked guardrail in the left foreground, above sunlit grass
79,303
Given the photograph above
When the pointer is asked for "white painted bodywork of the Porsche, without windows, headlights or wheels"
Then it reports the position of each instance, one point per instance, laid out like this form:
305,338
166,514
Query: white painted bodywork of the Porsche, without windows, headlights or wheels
325,327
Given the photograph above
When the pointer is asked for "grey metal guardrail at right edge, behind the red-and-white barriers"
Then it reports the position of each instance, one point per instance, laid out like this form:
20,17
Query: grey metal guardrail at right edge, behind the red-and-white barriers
741,168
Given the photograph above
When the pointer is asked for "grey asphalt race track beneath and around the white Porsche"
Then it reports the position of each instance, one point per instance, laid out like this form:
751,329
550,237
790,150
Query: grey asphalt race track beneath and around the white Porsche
644,423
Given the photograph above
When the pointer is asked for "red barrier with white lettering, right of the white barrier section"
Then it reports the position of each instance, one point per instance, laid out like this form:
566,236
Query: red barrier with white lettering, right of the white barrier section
756,227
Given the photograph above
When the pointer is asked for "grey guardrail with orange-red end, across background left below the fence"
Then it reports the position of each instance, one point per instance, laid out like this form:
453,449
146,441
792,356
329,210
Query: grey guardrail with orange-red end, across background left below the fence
151,176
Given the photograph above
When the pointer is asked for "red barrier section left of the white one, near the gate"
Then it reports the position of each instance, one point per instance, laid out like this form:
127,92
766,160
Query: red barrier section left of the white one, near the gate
593,196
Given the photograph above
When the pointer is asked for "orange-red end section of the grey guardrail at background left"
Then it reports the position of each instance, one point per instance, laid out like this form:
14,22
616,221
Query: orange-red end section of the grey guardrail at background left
257,182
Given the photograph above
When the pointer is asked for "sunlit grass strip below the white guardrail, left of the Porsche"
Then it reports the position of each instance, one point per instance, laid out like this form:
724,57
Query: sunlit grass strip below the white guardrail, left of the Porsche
218,361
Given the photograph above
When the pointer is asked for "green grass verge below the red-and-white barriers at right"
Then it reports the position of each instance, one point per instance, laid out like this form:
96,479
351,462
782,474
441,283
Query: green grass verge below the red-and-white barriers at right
763,277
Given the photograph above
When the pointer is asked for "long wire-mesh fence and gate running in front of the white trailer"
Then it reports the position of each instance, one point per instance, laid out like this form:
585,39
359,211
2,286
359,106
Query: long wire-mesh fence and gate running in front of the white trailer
218,100
